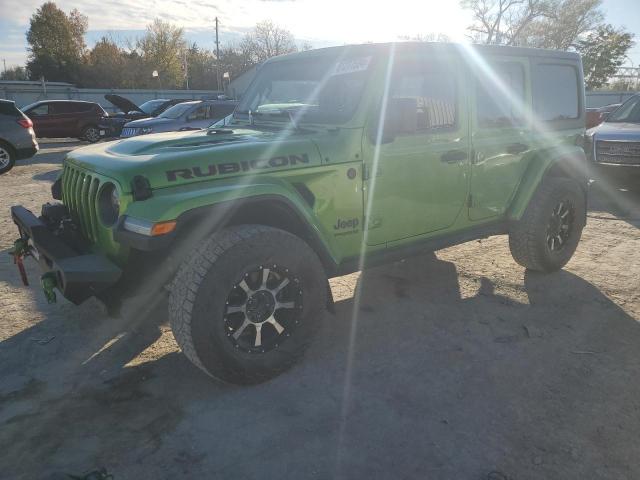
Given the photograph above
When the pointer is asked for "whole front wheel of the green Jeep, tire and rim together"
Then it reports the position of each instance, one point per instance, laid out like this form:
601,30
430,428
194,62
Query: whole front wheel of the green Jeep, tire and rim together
247,302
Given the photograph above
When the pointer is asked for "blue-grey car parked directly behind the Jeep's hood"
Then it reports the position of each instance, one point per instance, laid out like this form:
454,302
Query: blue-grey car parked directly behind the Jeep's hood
192,115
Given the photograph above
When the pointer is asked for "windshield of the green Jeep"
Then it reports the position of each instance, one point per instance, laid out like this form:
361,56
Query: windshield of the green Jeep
315,90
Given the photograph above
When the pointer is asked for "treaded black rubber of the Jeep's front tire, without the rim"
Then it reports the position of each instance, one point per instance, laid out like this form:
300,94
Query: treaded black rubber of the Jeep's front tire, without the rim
200,291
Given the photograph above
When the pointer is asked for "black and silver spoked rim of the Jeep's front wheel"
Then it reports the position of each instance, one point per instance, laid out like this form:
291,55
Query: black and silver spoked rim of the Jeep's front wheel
263,309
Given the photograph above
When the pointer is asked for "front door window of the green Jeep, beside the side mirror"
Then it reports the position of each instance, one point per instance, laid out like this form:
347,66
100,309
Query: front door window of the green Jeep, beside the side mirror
431,86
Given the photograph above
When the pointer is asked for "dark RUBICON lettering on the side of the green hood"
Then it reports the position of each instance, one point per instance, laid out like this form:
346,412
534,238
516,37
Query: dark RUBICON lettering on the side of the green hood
235,167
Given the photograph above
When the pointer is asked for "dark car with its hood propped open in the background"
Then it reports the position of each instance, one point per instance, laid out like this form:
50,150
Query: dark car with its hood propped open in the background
112,125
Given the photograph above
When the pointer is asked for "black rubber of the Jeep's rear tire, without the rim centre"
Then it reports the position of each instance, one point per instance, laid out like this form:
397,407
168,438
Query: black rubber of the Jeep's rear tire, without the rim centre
528,238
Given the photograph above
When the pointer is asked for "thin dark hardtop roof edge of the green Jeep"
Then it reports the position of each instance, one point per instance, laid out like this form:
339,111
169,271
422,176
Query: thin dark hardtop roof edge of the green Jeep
381,48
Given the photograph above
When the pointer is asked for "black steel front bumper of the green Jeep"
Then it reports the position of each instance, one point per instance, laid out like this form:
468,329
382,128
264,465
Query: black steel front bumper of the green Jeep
79,275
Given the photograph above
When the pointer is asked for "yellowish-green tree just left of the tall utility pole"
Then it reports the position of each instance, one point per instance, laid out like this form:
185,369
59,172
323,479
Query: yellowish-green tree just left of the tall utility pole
162,49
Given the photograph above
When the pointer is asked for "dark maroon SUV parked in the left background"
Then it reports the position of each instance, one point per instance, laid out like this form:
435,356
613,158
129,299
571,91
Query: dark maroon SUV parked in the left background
66,118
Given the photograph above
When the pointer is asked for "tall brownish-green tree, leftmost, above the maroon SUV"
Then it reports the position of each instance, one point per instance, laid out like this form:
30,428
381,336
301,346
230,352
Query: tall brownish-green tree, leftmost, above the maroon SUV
56,43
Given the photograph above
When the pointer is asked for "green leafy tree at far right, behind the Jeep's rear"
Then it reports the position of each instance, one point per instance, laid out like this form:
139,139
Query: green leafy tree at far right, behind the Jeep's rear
603,52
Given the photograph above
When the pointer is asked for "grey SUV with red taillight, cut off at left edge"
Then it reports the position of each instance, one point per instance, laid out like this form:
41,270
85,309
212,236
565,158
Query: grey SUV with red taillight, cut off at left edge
17,138
